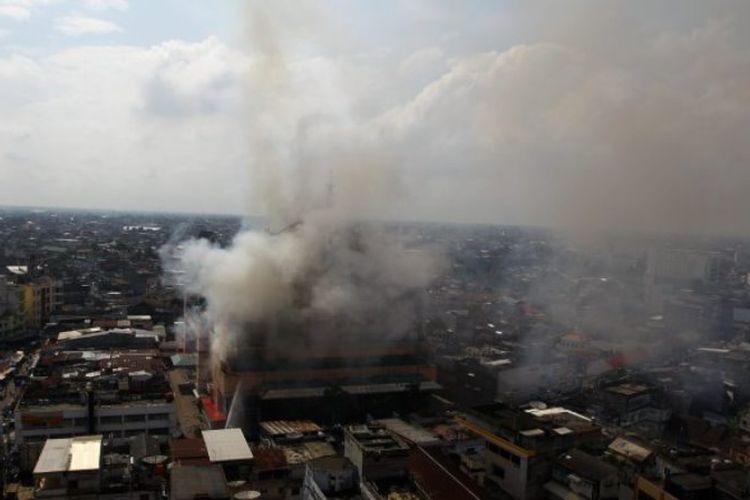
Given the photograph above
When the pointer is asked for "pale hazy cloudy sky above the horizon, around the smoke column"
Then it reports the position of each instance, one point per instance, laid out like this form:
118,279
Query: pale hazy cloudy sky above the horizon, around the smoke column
632,114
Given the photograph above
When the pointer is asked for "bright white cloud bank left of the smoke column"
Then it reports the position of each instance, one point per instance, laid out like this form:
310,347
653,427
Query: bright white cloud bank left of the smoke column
81,115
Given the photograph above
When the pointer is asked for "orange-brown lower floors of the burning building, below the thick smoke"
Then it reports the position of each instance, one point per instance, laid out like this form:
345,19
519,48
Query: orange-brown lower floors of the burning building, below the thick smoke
335,375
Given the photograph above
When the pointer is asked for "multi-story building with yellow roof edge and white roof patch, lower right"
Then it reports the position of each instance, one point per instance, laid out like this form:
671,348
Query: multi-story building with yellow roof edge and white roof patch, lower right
521,445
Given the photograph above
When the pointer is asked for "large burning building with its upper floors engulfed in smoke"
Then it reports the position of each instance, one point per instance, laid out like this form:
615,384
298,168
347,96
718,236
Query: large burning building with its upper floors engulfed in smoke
312,322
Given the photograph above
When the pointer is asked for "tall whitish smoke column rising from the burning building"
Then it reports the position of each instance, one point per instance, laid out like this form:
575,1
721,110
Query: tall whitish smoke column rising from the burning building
317,179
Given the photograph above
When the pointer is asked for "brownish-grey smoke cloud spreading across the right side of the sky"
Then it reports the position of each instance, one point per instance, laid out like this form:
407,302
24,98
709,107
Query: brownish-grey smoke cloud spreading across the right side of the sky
620,115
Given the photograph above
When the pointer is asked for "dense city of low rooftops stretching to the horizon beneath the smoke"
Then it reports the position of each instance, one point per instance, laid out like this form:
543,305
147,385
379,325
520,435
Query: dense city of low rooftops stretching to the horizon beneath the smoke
534,366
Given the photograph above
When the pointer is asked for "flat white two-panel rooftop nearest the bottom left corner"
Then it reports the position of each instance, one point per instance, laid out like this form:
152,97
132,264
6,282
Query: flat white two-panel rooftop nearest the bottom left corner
82,453
